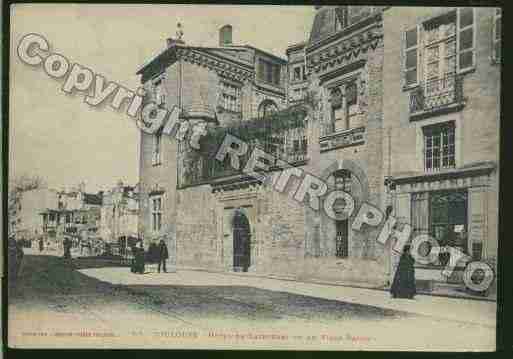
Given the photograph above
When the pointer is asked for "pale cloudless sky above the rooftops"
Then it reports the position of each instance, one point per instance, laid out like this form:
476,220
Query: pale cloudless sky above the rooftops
61,138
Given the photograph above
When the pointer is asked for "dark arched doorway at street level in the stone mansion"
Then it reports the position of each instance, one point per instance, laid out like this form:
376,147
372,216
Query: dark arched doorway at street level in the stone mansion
241,243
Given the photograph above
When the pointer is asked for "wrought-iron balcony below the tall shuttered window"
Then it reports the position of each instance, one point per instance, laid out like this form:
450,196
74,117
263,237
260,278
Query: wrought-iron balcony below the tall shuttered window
437,96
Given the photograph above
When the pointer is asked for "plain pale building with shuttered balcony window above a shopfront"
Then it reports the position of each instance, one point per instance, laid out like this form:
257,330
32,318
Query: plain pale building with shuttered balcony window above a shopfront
441,77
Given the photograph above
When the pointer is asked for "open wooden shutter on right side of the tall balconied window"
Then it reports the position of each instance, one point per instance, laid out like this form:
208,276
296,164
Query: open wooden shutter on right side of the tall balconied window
466,32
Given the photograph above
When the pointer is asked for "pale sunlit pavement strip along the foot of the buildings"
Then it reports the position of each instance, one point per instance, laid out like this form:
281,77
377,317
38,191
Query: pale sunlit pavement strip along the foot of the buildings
459,310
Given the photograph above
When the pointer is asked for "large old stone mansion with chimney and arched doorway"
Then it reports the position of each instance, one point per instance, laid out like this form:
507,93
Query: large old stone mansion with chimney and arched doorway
217,219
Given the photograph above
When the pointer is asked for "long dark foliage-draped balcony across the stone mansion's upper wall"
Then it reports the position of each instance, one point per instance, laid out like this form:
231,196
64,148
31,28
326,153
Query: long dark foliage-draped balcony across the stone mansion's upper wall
282,135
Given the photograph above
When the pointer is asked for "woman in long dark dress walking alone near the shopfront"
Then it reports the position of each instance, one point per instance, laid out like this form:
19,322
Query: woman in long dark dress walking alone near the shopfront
403,285
